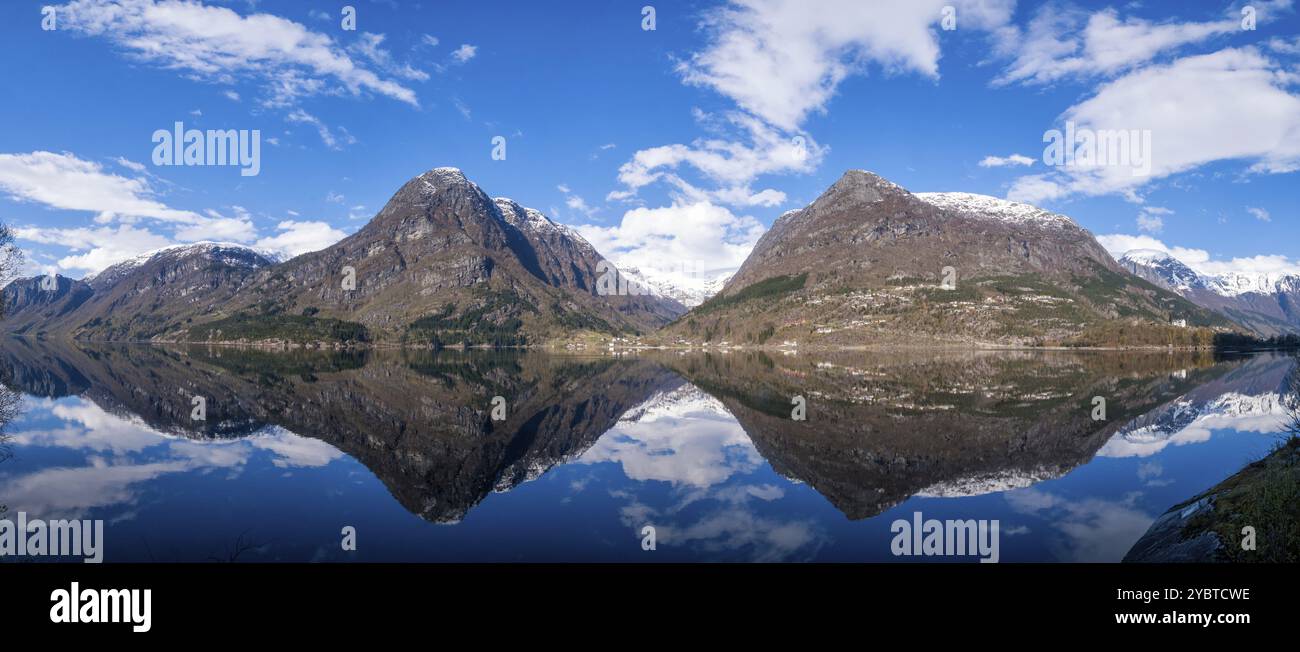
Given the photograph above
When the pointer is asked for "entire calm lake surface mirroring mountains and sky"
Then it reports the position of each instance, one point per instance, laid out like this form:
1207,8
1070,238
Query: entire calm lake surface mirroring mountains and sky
402,446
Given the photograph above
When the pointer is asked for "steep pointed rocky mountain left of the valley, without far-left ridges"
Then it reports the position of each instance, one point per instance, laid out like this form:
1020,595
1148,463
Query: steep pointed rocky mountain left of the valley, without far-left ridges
441,264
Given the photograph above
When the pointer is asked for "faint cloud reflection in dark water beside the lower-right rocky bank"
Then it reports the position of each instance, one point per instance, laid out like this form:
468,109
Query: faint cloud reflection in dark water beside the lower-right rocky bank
1091,529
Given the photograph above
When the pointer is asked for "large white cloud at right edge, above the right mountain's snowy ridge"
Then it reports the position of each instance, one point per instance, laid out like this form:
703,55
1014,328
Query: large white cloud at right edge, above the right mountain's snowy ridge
1233,105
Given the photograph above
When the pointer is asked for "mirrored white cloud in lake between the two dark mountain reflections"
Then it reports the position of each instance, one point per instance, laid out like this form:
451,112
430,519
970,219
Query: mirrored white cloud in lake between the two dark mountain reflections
688,440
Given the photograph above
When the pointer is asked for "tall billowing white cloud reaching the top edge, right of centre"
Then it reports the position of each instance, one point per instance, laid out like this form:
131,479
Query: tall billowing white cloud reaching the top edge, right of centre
781,63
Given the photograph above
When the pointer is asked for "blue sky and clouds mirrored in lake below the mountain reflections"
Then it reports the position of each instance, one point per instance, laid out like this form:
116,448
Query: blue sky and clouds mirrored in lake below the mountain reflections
679,463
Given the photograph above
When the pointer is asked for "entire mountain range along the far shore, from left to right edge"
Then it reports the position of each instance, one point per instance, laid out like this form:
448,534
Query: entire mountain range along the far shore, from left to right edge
868,264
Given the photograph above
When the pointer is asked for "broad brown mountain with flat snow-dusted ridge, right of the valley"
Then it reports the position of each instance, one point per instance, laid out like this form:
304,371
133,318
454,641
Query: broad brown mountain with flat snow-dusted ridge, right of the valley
868,263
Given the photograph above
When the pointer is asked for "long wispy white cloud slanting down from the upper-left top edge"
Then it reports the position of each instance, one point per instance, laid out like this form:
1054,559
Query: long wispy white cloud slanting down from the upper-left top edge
219,45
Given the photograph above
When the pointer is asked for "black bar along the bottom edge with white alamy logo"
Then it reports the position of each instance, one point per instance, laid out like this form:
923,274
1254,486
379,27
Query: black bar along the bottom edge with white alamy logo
239,601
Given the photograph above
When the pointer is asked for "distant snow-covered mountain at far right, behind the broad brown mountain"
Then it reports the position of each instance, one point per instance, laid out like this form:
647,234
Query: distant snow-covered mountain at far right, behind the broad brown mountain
1267,303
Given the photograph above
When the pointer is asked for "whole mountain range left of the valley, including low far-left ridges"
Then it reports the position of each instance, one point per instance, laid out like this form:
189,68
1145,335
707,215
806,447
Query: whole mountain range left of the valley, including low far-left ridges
440,264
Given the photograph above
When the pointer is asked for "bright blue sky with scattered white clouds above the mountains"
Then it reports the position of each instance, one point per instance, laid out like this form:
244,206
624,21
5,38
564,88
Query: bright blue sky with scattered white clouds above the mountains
675,146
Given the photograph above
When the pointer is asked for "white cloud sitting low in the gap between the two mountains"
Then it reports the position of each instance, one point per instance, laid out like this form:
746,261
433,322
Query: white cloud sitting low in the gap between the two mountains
697,237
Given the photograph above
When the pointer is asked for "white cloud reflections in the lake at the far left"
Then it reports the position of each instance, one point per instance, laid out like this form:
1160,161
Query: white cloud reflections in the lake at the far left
115,479
